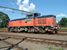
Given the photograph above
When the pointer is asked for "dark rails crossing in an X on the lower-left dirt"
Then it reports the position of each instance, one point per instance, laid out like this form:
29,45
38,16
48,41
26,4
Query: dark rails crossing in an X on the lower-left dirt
12,45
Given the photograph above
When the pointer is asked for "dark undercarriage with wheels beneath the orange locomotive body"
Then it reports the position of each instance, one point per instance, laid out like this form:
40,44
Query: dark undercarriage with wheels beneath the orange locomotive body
40,29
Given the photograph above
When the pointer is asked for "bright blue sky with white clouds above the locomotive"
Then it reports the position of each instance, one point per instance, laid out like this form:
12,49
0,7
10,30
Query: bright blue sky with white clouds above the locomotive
45,7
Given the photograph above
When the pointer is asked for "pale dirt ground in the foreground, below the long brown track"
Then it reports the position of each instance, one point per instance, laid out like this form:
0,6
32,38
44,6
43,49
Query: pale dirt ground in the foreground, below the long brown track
30,45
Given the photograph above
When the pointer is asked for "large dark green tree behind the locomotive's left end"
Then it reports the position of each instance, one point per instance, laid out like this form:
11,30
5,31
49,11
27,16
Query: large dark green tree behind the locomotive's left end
3,20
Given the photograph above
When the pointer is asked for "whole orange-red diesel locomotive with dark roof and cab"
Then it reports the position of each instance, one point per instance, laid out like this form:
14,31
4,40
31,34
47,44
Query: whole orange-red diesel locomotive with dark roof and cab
34,23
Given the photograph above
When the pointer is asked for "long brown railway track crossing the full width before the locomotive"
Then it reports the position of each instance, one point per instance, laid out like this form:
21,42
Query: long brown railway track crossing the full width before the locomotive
56,42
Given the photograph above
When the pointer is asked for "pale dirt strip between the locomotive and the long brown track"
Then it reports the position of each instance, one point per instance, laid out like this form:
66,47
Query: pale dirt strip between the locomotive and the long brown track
57,37
